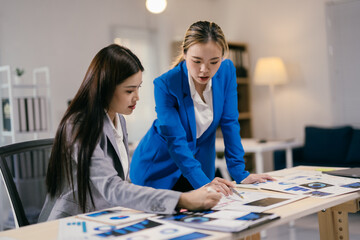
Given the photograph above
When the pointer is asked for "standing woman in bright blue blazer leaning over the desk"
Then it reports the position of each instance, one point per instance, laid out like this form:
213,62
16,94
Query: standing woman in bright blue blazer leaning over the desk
192,99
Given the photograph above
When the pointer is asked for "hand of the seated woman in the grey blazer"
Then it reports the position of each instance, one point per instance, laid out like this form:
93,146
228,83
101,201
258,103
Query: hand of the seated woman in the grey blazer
200,199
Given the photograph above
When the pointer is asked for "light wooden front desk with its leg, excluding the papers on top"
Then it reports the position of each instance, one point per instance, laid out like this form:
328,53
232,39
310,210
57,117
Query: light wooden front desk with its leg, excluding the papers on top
332,215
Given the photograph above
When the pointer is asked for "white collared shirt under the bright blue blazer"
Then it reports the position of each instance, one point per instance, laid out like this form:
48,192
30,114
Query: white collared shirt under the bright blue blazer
204,113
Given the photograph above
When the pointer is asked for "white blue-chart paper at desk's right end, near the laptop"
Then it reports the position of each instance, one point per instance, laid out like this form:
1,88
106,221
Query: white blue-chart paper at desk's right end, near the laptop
312,183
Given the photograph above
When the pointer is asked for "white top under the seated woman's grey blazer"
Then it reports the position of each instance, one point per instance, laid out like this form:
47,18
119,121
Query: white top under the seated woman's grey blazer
119,137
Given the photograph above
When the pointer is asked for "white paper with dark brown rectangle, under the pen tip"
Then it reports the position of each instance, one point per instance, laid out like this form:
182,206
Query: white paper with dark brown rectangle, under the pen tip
255,201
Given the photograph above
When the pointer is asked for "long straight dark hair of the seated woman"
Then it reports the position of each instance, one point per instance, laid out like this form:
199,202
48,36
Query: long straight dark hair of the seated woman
110,67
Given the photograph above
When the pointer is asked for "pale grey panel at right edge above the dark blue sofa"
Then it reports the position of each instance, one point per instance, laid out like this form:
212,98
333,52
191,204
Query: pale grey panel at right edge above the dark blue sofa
344,60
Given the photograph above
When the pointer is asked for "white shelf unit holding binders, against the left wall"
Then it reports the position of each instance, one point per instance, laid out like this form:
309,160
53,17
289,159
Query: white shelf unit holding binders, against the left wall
25,107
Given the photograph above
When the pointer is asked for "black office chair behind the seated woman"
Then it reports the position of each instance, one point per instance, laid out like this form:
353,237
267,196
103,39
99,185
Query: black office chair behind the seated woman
23,167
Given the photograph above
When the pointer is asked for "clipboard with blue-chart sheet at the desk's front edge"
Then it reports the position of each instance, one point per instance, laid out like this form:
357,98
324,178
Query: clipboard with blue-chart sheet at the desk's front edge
220,220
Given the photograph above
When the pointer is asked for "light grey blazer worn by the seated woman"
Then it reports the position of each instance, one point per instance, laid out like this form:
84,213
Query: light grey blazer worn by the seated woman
108,186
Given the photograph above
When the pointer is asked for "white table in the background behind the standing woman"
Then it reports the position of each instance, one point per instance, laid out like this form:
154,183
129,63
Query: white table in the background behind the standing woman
253,146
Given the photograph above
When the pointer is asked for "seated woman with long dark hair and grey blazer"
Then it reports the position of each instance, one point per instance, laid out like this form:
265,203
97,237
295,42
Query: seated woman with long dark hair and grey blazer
89,162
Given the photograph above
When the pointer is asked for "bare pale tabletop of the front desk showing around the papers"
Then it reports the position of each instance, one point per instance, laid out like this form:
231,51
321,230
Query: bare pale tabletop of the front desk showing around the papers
287,213
